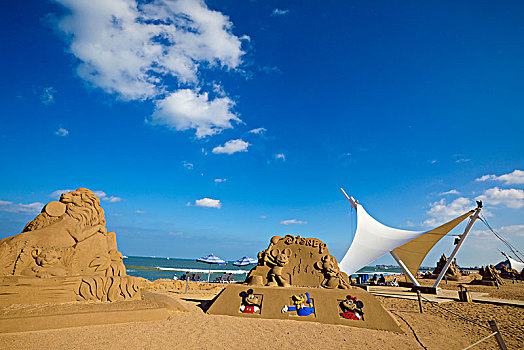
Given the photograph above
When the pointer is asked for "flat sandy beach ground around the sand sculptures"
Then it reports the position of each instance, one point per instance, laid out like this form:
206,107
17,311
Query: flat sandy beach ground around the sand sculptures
194,329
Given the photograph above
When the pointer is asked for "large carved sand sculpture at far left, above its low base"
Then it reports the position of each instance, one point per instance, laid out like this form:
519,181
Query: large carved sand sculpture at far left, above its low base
65,254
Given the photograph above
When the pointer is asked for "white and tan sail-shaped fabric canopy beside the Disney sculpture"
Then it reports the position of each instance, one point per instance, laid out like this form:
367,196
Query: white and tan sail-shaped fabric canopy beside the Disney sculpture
373,240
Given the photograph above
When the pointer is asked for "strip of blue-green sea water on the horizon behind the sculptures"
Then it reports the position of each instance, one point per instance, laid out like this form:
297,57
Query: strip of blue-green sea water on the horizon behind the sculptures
153,268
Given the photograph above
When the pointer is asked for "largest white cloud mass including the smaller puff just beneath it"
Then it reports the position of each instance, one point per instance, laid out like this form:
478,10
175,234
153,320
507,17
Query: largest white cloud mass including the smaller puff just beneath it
134,49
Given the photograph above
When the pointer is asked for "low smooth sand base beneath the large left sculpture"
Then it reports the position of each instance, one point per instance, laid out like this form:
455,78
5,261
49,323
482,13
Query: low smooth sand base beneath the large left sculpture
23,318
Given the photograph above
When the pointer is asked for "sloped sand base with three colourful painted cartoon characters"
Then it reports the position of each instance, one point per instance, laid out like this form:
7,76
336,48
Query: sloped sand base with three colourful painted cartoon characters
353,307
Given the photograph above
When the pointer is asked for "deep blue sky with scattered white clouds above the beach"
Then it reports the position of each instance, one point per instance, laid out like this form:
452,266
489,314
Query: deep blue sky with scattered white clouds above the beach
210,127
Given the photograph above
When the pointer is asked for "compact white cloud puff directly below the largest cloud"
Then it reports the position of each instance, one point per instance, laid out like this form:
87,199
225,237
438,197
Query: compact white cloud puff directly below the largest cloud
186,109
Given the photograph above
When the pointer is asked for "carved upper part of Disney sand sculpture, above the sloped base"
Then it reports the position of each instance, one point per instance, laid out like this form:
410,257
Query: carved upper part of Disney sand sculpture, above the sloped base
297,261
